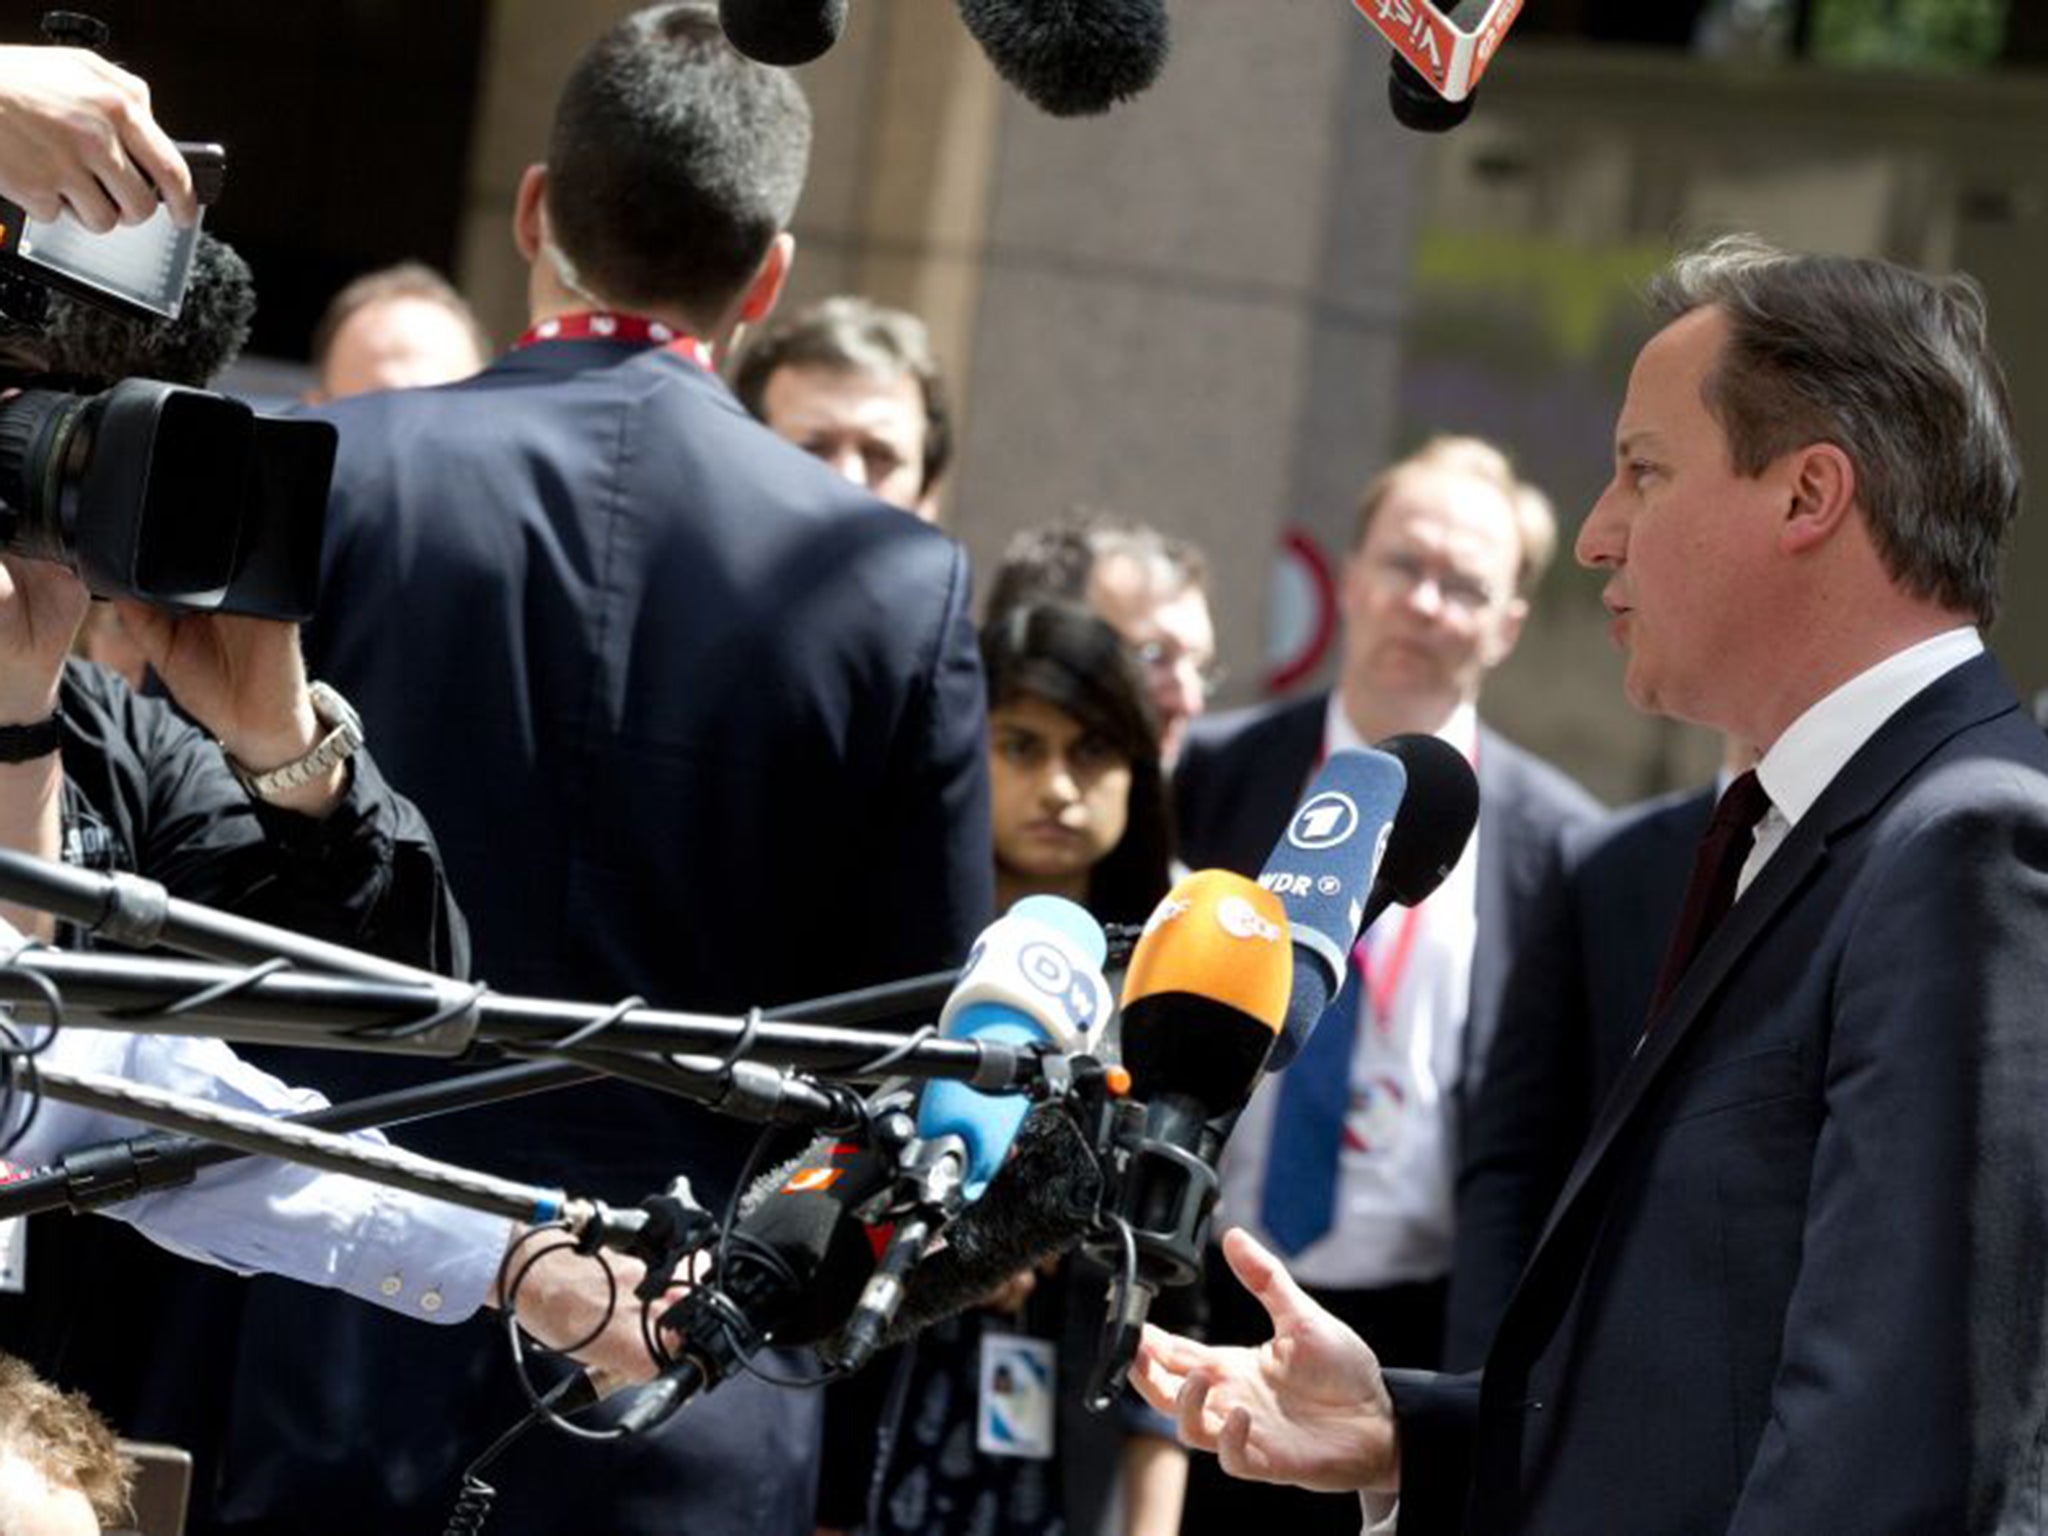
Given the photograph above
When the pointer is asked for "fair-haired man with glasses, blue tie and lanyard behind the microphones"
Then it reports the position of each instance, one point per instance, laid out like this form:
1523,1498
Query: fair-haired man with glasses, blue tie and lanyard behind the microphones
1359,1201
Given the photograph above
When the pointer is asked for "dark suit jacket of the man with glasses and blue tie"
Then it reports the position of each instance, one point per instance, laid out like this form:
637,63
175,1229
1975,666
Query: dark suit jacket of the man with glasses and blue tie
1242,775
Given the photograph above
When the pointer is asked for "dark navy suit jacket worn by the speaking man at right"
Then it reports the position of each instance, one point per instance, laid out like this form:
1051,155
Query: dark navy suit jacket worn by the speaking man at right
1795,1281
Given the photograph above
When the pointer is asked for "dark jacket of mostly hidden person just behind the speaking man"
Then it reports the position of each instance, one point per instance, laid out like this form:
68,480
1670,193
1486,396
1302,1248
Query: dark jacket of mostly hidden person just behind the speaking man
1574,1011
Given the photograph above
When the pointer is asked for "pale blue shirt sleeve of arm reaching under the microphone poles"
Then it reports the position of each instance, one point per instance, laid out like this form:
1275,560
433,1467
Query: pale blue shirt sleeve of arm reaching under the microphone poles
261,1215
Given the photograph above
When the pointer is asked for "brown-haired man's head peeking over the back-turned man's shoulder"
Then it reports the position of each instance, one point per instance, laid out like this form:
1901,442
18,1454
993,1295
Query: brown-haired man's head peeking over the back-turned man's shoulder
855,384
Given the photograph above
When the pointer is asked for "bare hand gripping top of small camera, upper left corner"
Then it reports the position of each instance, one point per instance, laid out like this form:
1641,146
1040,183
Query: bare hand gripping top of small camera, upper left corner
77,138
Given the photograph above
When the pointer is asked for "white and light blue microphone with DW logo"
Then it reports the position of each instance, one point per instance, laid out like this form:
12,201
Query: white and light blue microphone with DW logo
1033,978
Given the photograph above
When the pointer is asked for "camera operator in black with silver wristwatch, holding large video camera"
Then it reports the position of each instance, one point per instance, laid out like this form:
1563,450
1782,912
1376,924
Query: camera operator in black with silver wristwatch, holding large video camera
255,800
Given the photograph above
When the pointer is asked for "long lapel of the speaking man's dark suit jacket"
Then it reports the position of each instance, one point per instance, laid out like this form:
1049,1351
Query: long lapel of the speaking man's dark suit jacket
1969,695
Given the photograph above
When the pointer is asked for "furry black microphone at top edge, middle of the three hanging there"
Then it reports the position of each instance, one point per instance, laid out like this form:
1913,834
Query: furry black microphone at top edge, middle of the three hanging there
1072,58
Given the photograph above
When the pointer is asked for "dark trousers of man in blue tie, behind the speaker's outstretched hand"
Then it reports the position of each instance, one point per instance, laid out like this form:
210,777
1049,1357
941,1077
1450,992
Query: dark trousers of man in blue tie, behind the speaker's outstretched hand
1402,1324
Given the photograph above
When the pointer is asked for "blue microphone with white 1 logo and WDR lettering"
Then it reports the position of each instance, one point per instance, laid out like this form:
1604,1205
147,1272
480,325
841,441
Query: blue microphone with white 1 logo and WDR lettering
1324,869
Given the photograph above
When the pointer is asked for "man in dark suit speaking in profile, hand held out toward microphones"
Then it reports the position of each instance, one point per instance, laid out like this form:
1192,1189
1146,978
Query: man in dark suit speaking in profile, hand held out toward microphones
1795,1281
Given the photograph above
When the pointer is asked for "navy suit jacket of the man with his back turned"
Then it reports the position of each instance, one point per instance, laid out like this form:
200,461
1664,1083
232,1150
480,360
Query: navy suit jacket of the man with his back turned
695,722
